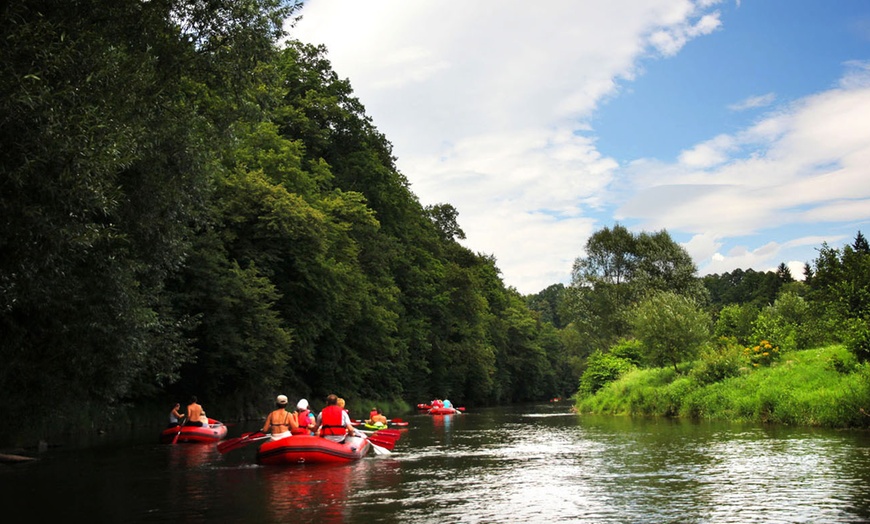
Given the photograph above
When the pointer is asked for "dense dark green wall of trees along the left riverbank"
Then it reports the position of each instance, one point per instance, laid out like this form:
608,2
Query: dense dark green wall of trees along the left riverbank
187,206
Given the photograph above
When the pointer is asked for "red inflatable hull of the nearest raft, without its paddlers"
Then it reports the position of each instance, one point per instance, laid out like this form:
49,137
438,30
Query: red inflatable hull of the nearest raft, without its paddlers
305,449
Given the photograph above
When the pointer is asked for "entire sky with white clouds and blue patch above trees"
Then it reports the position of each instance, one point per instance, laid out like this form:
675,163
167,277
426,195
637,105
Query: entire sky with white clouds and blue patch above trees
742,127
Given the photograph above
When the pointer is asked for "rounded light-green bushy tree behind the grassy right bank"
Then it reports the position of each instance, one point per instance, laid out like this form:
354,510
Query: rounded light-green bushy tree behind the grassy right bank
671,327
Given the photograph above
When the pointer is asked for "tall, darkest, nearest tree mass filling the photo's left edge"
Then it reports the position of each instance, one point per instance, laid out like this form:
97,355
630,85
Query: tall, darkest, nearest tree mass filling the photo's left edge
107,136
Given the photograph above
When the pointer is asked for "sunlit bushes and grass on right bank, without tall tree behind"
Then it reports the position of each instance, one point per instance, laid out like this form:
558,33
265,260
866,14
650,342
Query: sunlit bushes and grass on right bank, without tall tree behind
760,348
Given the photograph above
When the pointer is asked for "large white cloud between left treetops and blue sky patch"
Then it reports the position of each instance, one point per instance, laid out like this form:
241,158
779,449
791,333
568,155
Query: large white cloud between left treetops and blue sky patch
486,104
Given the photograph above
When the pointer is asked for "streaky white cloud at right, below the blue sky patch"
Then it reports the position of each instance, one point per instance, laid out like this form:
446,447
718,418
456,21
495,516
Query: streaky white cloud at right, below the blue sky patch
802,166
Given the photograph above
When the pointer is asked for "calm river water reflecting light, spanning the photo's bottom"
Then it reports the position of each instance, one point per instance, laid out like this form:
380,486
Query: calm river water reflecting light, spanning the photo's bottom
518,464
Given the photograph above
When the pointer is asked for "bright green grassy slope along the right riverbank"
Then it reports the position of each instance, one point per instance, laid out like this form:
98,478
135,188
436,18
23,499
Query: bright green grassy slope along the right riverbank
818,387
